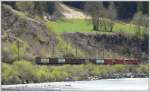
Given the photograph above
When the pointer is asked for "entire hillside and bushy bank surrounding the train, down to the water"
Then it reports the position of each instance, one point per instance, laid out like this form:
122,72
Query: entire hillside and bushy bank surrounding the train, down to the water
26,36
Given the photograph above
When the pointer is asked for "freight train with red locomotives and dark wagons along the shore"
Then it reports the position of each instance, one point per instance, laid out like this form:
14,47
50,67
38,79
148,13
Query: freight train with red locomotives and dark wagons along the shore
59,61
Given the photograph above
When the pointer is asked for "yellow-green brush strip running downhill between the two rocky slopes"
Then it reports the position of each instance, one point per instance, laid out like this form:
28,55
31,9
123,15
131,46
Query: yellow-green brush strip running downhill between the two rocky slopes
63,47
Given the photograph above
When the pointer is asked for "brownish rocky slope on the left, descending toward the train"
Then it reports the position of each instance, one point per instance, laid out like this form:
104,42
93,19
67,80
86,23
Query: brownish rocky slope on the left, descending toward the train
32,33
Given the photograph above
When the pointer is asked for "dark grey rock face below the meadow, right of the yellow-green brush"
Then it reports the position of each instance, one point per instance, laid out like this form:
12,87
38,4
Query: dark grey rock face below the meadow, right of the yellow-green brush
116,42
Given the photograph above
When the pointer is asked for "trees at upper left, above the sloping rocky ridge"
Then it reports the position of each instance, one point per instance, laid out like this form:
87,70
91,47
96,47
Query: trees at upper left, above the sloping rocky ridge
35,8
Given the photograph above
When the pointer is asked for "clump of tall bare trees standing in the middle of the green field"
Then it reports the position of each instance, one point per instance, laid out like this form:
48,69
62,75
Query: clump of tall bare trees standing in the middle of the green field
98,12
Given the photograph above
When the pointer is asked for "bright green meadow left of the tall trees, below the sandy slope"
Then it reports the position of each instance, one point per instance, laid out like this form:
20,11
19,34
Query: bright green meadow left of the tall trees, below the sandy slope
75,25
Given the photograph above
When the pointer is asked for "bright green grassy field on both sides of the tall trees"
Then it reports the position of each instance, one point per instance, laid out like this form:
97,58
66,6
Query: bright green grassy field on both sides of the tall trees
80,25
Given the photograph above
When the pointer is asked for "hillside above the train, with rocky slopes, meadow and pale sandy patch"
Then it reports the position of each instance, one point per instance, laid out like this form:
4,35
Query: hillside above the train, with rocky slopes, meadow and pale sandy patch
40,38
